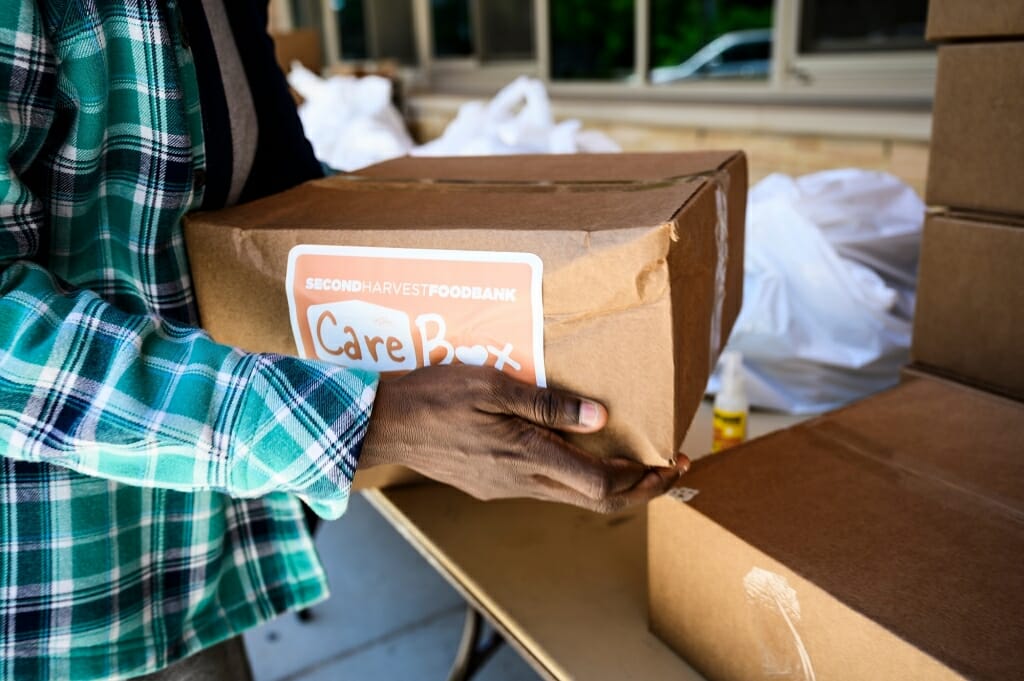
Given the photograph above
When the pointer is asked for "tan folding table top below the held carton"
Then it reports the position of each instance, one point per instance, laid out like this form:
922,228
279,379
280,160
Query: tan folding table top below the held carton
567,588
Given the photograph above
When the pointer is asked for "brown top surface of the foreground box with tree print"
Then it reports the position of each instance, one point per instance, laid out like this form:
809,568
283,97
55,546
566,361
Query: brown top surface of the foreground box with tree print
908,507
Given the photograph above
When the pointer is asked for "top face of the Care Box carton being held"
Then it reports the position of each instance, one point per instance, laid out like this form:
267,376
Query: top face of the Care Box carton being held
571,193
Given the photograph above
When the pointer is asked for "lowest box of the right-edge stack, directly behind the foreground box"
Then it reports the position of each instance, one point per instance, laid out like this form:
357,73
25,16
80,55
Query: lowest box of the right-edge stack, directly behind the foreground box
969,323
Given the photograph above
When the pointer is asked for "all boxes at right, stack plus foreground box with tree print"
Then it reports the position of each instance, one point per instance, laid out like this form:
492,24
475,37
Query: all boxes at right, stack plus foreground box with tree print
886,540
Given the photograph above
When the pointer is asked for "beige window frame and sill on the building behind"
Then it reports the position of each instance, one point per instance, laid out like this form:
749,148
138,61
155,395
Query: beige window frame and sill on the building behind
898,80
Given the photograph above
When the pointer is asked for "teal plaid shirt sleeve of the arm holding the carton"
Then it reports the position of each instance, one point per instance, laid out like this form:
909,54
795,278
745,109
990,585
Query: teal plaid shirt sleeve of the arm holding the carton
135,399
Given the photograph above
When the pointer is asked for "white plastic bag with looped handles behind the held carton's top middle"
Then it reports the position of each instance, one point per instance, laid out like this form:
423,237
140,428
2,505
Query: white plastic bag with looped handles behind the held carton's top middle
519,120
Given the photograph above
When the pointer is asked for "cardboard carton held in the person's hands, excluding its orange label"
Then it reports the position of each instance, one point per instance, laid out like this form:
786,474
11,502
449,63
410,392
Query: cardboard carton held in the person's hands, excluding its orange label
629,243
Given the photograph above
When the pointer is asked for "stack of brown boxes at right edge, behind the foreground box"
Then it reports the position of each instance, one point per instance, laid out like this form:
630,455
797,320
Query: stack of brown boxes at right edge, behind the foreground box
969,325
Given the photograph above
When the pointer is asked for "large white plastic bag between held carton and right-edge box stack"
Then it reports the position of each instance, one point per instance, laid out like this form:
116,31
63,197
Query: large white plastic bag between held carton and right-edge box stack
829,284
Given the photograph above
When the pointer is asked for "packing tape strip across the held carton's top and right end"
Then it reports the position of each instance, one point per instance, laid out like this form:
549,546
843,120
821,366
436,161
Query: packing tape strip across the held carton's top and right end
718,179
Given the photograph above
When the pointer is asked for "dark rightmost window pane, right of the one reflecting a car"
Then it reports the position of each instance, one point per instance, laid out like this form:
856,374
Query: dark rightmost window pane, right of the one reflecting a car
861,26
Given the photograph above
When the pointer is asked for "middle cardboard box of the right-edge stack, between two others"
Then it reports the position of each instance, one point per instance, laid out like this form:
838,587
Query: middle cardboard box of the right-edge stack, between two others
977,154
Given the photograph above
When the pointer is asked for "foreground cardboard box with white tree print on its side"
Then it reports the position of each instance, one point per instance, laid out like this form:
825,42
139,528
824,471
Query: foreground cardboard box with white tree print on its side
884,541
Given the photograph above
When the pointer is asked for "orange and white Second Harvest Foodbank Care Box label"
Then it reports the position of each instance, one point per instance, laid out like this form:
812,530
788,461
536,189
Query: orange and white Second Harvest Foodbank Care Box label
396,310
